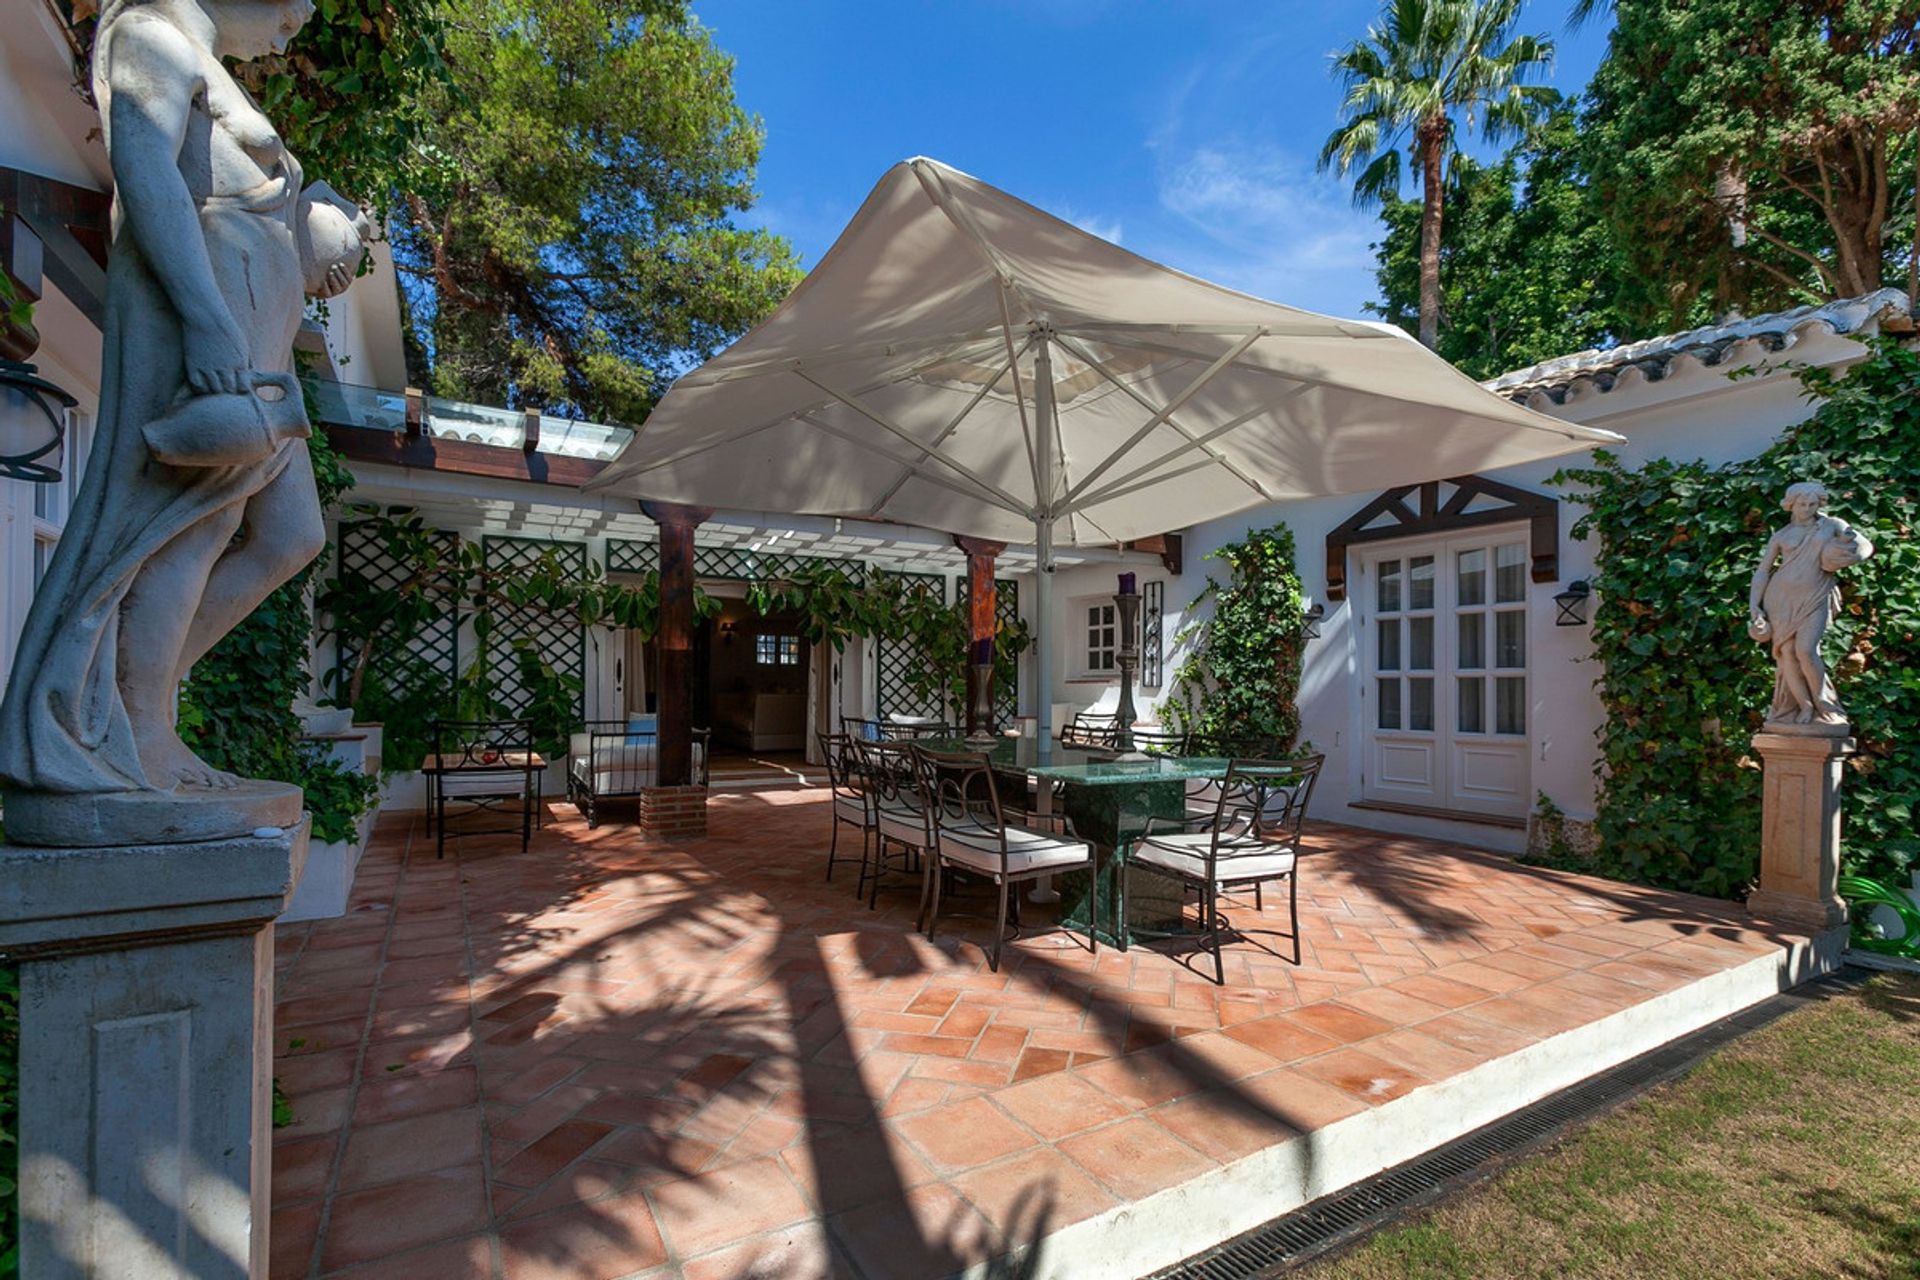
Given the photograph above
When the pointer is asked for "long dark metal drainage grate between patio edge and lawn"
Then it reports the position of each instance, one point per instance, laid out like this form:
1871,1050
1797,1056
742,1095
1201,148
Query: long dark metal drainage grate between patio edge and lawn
1351,1214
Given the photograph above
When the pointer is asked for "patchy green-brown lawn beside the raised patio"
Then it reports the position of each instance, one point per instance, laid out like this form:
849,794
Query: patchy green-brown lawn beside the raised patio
1794,1152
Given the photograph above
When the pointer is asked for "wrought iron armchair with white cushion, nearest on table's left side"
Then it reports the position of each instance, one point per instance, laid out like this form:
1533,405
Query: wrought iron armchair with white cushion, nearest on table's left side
972,836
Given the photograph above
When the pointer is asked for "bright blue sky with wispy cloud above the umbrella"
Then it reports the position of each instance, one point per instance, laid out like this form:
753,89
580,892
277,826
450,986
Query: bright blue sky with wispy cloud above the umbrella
1184,130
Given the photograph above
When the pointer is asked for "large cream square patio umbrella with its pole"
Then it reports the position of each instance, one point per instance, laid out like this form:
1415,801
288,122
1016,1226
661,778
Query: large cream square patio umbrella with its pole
969,364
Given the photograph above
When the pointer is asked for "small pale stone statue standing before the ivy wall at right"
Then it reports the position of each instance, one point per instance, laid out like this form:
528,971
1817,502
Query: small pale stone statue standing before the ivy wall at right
1794,602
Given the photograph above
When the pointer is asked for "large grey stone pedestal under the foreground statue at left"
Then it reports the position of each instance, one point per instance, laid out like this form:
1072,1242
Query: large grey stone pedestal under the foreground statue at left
145,1055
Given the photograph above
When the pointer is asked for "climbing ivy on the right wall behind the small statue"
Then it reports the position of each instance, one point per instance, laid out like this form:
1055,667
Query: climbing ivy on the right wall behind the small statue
1681,682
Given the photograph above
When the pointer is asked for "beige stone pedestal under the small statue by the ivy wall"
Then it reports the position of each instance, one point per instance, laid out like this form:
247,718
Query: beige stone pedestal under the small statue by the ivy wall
1800,828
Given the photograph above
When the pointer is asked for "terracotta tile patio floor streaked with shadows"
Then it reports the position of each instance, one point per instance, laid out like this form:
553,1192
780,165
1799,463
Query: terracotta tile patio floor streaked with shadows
602,1058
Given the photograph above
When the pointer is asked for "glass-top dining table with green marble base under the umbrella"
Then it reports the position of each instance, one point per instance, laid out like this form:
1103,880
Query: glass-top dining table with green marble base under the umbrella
1109,801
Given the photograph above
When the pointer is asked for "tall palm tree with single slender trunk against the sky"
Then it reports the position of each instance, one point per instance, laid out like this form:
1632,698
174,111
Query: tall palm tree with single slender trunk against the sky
1424,64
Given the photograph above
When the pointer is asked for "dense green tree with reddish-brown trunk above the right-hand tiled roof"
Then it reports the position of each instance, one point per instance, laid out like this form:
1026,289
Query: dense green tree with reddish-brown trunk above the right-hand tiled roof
1758,151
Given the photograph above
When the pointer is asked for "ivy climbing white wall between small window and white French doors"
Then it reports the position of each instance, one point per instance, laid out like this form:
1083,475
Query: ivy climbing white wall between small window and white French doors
1239,678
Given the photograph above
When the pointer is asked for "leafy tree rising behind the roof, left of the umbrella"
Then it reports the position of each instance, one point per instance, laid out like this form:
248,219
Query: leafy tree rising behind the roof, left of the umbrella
571,247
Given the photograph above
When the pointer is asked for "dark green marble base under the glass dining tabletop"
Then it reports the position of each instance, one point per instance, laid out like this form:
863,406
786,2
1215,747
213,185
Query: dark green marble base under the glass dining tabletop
1111,818
